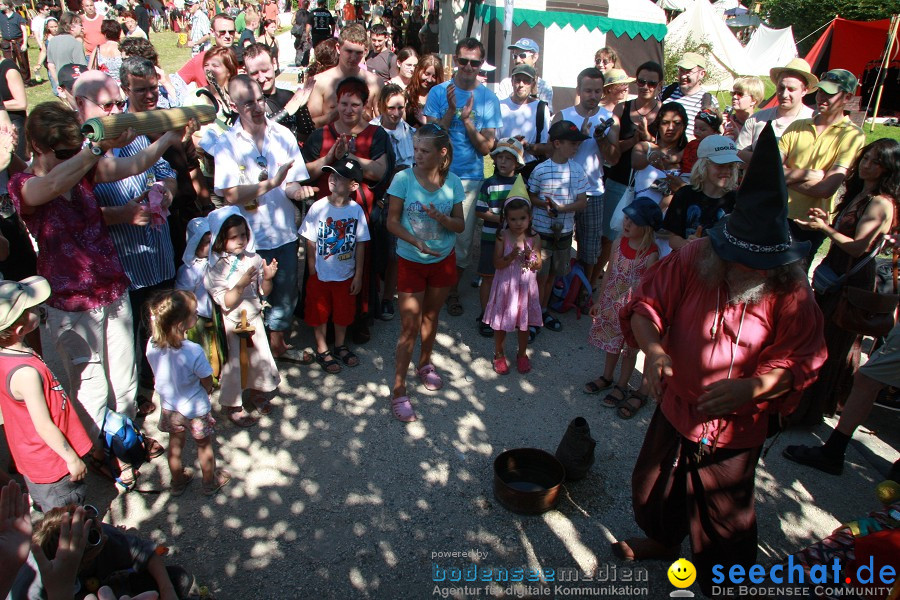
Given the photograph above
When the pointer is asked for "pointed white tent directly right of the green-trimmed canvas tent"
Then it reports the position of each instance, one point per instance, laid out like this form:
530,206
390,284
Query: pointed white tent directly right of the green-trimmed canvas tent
700,24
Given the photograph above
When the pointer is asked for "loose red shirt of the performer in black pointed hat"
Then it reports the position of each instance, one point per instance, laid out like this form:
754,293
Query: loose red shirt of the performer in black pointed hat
781,332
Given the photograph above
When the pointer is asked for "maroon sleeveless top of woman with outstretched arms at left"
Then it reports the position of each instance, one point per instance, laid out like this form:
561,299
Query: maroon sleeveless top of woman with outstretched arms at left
76,255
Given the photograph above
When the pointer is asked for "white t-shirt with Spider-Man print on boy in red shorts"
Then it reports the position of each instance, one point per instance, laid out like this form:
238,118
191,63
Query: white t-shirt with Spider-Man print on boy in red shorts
335,230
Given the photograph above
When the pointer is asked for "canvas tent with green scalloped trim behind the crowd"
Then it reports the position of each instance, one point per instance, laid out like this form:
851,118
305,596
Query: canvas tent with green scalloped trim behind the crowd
570,32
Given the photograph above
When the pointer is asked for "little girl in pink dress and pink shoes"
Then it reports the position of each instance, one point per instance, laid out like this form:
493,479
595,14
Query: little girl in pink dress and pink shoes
514,304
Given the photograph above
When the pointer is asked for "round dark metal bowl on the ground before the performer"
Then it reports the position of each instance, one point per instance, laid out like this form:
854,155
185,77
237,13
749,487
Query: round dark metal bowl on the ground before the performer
527,480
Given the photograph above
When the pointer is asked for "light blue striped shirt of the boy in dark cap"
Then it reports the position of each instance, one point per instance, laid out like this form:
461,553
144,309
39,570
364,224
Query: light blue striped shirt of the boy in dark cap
563,183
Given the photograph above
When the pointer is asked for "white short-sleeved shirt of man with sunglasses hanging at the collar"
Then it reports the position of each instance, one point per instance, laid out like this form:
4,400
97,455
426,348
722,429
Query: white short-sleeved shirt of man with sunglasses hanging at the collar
273,222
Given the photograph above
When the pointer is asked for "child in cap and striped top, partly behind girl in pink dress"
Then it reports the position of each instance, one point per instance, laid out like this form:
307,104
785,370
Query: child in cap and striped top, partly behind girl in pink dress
503,184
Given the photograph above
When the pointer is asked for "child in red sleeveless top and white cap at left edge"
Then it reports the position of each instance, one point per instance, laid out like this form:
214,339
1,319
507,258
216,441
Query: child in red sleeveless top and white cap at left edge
46,438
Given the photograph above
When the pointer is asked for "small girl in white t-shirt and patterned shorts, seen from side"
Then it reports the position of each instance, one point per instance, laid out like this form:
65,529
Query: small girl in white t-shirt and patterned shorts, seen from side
183,382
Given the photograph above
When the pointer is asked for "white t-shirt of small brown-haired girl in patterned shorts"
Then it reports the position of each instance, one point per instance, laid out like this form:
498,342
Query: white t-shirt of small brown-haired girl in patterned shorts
177,373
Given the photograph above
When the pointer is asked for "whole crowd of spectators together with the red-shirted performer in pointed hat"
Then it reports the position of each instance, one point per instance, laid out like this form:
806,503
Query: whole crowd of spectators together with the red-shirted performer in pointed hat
177,262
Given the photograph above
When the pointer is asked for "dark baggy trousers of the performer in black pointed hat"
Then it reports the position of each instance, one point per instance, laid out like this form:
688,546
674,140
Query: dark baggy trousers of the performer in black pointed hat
675,495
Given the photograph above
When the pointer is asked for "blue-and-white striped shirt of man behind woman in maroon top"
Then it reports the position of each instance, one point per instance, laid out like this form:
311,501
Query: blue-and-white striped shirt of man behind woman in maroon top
145,251
